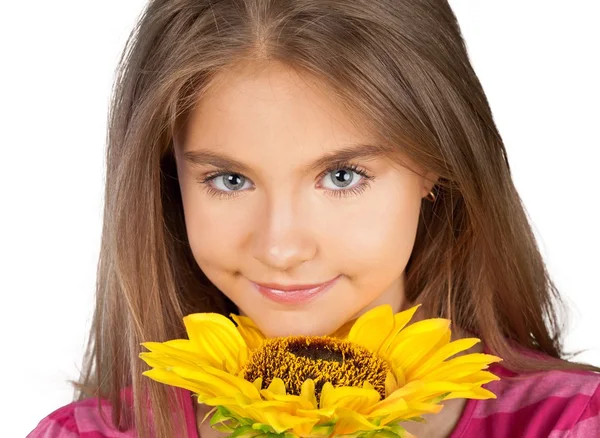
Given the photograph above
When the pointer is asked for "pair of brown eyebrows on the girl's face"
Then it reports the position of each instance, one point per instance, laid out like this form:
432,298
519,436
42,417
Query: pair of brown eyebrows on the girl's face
201,157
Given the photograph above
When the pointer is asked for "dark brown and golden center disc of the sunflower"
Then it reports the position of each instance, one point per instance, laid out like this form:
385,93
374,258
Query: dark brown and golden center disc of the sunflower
295,359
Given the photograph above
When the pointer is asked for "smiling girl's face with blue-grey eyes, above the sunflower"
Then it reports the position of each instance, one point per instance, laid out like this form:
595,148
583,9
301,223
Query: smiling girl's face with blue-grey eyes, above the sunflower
265,202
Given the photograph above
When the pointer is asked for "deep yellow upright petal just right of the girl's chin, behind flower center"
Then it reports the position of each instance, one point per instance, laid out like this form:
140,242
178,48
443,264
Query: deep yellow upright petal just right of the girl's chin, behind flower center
373,327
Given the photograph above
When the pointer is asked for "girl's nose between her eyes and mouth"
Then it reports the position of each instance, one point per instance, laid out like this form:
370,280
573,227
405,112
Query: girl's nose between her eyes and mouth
282,239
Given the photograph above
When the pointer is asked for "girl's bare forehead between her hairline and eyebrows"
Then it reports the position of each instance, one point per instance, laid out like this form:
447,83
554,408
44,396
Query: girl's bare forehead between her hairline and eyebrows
272,102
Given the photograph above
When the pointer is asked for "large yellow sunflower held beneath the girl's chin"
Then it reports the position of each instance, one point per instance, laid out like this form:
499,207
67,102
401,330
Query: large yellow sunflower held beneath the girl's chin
363,380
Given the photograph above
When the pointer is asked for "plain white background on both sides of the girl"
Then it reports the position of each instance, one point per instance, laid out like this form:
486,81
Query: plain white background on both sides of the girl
537,60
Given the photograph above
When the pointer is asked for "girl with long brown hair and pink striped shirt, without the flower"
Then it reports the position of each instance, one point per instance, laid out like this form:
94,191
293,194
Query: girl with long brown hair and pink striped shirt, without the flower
260,148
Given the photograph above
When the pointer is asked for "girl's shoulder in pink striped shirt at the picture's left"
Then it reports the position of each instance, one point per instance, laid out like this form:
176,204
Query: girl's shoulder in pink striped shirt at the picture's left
88,418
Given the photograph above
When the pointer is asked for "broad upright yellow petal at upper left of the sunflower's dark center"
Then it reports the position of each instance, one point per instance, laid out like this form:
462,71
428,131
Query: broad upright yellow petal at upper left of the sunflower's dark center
217,338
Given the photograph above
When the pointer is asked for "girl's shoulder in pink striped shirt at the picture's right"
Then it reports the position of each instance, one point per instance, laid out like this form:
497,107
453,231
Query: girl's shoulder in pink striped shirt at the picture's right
554,403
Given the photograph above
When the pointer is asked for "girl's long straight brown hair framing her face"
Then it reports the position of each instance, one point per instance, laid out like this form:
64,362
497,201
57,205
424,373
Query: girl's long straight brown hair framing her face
401,65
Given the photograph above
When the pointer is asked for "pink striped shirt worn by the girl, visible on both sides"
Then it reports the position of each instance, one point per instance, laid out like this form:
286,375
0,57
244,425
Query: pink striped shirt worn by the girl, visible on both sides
553,404
